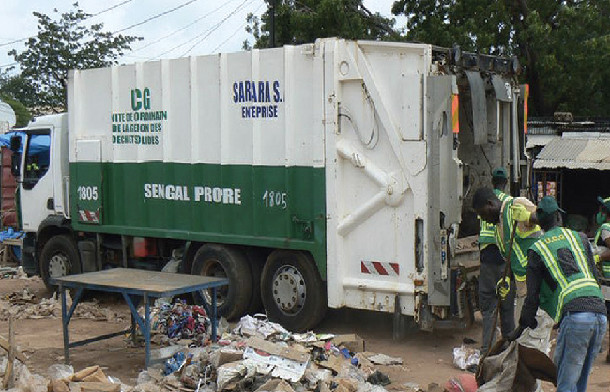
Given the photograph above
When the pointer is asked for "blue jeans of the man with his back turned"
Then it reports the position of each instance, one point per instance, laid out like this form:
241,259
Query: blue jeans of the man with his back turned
578,343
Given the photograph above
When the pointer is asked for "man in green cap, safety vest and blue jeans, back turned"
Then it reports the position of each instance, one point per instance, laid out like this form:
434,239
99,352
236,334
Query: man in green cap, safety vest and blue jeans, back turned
563,281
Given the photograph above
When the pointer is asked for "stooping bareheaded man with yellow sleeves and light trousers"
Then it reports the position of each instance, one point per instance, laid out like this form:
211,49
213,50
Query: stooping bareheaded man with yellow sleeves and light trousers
504,214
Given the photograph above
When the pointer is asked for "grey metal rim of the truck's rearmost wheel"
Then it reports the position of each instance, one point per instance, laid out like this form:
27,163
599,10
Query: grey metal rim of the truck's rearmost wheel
289,290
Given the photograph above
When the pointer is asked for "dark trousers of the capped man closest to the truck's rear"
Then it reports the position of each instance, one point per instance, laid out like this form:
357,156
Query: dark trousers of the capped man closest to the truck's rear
492,270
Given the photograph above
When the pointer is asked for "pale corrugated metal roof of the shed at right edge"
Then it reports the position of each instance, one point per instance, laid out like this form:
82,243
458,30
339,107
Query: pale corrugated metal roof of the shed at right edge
575,154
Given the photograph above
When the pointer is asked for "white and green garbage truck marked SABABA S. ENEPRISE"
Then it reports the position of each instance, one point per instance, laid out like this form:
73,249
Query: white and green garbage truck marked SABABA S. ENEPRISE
332,174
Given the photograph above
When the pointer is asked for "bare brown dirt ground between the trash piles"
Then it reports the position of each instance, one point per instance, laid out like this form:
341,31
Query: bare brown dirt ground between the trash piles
427,356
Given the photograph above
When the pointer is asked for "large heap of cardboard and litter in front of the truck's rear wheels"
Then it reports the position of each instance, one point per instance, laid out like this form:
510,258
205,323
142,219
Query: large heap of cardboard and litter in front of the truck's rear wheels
258,355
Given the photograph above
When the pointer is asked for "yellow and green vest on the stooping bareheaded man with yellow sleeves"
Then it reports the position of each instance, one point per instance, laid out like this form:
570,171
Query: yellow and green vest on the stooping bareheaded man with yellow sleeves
518,257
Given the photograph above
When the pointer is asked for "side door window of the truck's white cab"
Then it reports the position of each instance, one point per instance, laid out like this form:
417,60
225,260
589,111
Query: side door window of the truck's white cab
37,158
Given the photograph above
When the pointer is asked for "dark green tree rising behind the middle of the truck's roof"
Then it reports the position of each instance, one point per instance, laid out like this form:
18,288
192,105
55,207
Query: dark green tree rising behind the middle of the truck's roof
302,21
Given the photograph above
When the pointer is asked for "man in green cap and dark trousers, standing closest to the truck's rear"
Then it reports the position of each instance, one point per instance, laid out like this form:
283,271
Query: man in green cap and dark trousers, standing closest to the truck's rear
492,269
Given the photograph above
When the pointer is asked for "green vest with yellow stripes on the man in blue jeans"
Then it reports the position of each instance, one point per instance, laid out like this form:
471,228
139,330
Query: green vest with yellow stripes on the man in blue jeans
579,283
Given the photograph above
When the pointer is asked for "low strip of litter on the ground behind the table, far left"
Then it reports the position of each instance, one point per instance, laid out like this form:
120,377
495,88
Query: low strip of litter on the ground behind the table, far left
25,305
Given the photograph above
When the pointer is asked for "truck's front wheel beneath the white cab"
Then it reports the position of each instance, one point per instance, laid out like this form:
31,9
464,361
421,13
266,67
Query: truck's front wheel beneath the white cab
59,257
